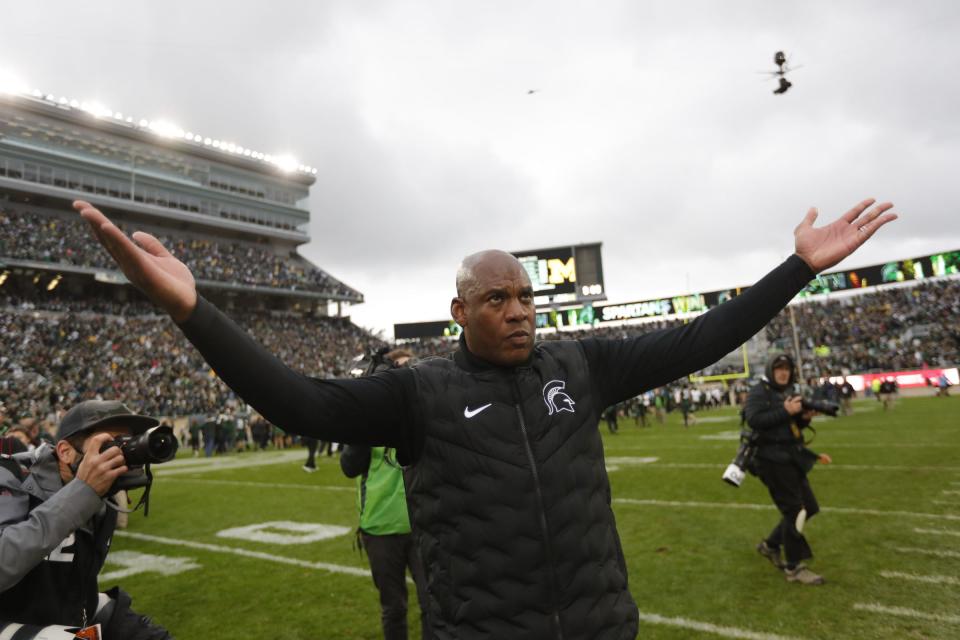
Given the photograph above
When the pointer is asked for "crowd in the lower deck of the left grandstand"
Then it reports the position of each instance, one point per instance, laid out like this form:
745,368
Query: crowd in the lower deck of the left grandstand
55,356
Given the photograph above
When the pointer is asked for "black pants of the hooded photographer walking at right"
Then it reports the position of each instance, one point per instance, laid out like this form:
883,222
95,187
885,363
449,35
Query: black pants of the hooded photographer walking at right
791,492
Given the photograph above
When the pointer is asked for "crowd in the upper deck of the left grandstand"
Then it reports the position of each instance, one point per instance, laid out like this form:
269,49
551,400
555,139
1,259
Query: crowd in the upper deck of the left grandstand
39,237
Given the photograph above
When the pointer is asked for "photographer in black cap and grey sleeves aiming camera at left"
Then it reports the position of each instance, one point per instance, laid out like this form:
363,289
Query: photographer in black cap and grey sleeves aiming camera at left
56,522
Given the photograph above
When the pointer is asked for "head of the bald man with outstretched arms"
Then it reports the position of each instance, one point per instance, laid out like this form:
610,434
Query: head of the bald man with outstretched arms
495,307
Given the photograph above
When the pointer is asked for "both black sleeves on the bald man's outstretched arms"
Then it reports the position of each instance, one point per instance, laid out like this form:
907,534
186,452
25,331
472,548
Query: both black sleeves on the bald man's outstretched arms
381,409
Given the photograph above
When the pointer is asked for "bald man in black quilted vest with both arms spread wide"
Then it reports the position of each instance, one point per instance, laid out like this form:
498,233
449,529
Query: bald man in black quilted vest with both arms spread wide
506,484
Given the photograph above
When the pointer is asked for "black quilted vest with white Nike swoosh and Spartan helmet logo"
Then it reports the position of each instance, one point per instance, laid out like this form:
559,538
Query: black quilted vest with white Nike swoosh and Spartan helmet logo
510,502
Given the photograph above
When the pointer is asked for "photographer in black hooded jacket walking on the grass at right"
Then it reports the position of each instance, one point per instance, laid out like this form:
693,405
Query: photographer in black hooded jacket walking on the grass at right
776,415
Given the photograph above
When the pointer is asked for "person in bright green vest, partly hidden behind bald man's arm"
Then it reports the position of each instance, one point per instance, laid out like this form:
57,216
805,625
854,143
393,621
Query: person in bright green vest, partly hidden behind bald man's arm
384,522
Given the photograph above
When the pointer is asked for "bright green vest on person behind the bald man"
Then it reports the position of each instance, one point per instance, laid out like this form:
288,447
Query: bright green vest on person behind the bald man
381,498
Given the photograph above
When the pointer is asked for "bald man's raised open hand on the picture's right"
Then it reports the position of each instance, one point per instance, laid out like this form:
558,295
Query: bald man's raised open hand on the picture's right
823,247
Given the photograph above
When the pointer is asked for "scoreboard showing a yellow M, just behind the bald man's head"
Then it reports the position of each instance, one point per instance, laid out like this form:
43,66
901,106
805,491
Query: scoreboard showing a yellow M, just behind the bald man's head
564,275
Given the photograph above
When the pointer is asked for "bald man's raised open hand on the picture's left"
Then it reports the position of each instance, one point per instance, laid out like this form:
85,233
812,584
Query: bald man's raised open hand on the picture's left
146,263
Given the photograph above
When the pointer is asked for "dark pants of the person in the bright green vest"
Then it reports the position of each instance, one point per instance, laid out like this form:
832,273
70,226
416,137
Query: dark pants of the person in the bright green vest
390,556
